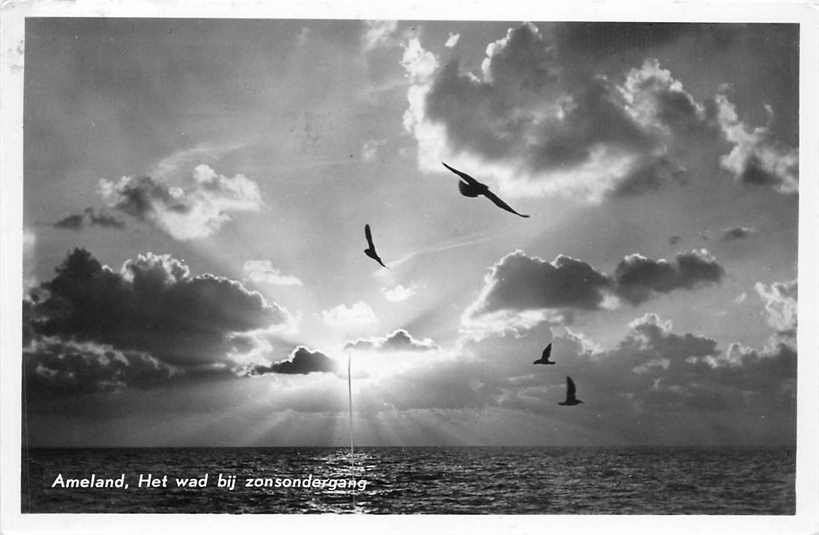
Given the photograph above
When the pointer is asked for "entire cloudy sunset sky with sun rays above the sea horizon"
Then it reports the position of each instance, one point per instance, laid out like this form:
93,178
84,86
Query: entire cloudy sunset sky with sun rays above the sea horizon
196,191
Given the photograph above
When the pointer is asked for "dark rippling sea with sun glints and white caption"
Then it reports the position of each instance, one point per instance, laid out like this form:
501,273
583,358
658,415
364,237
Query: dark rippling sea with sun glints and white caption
469,480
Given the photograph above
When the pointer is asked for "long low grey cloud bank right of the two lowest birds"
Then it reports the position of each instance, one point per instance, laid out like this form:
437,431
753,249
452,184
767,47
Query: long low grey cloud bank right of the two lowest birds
654,370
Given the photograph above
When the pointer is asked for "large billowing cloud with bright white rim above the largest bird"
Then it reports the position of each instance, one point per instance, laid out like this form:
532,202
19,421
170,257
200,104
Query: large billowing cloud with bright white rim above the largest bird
522,116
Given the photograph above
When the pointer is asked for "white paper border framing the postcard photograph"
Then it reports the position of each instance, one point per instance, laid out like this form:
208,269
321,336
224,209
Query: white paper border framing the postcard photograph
12,17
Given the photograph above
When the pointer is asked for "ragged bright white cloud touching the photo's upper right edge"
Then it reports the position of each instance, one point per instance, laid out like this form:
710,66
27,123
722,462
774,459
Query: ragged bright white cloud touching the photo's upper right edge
757,157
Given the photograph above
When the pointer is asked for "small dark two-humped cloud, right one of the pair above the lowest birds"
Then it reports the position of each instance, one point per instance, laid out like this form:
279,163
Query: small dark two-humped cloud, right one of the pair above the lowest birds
638,278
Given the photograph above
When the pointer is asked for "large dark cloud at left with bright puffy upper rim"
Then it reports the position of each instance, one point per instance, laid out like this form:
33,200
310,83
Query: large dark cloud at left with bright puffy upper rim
153,304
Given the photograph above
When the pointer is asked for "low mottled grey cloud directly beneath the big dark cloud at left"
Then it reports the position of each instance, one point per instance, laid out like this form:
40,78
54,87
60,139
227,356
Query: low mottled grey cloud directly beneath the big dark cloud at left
54,367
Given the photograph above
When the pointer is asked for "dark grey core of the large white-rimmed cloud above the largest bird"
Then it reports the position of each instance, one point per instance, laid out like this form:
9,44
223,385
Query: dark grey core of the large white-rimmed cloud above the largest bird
493,114
